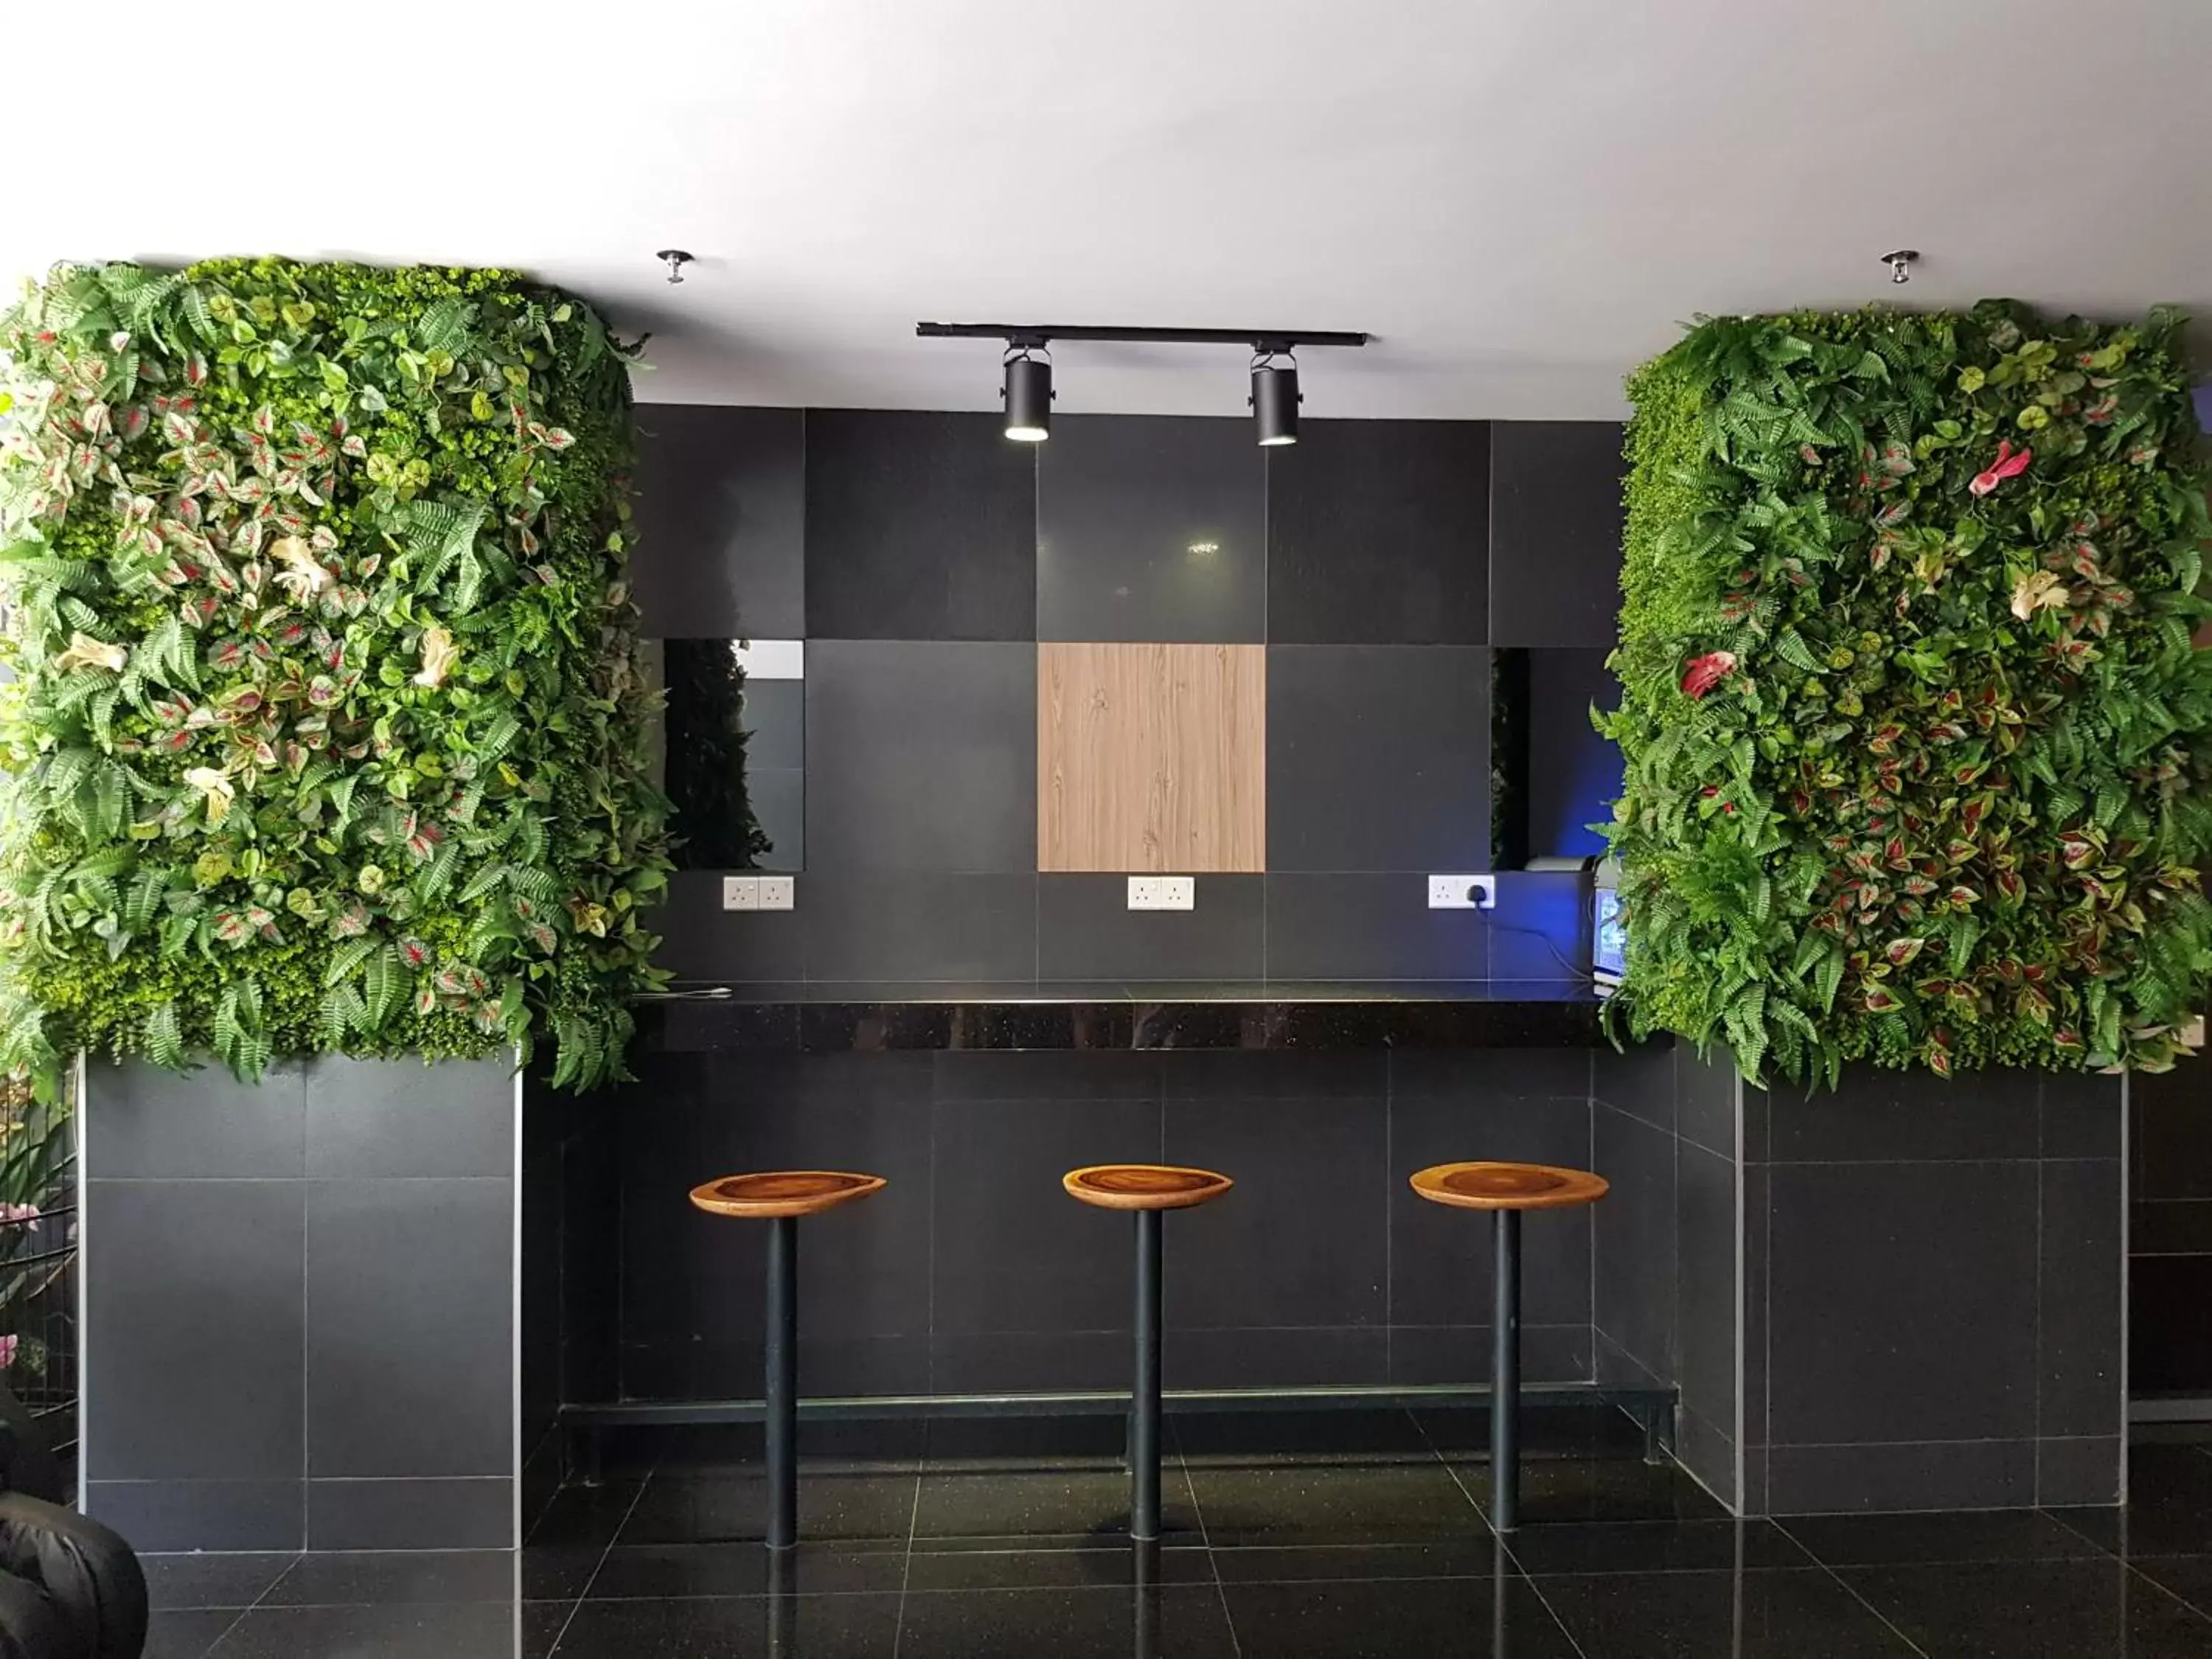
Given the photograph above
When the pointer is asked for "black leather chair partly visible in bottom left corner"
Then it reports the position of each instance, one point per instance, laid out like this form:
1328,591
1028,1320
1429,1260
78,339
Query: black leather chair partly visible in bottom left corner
70,1589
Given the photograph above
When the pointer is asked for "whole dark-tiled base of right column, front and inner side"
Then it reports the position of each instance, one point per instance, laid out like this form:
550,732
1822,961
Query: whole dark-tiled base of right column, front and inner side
1899,1295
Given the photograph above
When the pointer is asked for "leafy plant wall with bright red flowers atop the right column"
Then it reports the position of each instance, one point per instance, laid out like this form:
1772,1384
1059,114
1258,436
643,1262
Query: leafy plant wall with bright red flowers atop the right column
1914,731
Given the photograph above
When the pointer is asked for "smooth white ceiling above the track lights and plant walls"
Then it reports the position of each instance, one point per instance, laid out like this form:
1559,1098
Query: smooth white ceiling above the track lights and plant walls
1519,198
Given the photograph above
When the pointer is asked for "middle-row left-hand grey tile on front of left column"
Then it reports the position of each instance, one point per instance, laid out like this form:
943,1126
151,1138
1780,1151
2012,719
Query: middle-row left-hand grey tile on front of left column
196,1315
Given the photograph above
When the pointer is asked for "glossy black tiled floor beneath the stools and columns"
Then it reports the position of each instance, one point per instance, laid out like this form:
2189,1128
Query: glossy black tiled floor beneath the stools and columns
1288,1538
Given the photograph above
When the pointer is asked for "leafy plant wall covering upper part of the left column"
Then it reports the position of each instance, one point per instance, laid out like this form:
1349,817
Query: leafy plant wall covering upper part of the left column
326,720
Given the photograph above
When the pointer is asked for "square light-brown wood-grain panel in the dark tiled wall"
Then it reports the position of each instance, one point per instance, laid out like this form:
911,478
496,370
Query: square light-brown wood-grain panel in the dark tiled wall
1154,760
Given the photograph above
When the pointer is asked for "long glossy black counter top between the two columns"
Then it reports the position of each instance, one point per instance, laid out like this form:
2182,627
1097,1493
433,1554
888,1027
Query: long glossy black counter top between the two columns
1319,1014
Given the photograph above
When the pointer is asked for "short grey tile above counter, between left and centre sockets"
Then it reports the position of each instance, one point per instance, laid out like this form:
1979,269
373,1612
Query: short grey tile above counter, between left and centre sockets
886,926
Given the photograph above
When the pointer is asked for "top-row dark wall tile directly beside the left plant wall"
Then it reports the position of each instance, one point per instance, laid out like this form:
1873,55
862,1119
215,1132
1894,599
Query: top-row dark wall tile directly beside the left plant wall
722,523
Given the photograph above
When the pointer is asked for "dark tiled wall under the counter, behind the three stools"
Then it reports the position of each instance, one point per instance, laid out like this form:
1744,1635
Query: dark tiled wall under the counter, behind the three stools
974,1271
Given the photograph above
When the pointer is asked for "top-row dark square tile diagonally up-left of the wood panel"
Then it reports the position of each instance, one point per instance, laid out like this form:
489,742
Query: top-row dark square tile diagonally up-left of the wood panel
919,528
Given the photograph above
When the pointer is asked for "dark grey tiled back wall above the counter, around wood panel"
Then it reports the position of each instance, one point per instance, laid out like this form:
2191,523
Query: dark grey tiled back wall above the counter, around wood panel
932,556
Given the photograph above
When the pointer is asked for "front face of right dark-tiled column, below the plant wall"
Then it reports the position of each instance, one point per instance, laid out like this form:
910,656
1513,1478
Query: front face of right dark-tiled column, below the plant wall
1963,1246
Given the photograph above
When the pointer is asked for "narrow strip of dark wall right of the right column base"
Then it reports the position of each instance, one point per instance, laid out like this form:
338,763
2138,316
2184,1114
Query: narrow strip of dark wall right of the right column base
2171,1233
